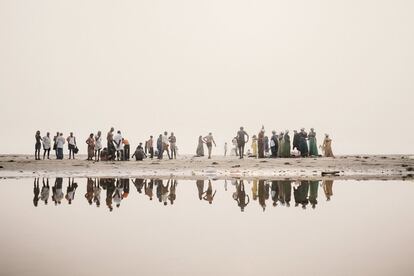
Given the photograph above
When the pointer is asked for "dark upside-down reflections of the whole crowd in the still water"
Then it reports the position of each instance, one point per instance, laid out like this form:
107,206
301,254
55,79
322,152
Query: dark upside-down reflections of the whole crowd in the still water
305,192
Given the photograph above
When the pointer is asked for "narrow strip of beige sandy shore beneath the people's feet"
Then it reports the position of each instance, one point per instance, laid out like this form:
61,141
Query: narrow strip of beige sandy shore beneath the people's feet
391,167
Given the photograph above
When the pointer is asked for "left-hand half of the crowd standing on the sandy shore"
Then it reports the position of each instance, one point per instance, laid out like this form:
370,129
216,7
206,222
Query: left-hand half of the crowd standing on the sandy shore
118,147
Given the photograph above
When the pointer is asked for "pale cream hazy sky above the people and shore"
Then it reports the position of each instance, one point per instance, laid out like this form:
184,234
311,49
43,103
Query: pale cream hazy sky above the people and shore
188,66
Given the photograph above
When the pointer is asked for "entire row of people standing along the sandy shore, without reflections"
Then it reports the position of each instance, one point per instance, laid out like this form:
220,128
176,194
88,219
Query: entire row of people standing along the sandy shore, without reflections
118,148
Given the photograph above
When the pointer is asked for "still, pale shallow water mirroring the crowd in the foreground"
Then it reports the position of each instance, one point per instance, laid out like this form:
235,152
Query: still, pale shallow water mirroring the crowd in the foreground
366,228
